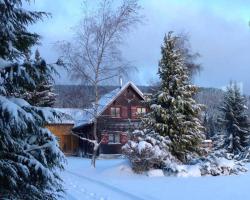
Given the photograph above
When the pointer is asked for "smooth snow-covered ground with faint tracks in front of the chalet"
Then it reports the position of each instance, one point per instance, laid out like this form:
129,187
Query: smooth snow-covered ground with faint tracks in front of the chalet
114,180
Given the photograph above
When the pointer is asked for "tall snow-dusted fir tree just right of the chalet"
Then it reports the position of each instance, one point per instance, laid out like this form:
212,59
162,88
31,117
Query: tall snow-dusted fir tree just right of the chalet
174,112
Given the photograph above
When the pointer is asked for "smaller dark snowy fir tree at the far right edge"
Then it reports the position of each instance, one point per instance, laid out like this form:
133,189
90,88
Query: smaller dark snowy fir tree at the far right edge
234,136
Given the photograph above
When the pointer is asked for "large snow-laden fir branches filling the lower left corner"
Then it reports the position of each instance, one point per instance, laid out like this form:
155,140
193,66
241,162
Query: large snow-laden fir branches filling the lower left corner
30,158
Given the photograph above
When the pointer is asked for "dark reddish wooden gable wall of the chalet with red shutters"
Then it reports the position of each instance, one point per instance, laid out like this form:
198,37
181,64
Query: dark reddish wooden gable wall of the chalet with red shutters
128,102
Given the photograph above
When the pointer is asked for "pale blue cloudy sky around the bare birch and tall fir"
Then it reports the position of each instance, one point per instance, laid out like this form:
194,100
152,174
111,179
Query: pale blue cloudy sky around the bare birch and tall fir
218,30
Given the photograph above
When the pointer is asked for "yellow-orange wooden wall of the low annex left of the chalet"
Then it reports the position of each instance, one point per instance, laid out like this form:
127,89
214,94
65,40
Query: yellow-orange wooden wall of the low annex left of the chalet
69,143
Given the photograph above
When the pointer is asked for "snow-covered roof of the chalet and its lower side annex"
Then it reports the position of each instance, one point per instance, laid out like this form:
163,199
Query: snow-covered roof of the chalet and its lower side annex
81,117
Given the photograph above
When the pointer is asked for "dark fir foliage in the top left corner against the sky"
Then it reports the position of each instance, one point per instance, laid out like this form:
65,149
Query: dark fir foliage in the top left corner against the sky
15,39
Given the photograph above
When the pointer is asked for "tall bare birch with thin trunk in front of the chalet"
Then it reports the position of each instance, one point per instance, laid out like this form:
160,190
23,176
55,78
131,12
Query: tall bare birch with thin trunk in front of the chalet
94,56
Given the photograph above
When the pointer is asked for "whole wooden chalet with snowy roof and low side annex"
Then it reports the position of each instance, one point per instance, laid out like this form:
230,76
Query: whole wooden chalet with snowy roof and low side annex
118,115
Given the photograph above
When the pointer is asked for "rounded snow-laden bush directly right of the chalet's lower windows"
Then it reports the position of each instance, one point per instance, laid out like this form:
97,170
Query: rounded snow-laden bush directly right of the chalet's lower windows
148,150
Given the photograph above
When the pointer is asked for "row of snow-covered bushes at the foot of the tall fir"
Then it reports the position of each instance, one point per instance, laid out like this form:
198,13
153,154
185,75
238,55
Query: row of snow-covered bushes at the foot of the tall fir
148,151
